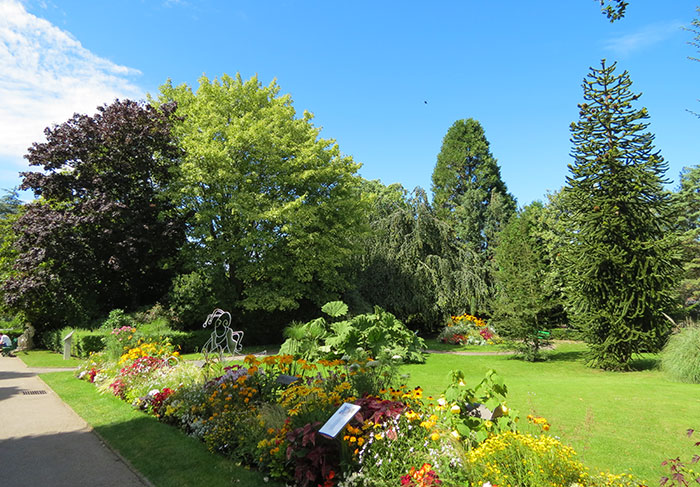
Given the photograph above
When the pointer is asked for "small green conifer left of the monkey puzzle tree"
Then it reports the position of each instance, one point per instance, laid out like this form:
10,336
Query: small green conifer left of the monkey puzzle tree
525,300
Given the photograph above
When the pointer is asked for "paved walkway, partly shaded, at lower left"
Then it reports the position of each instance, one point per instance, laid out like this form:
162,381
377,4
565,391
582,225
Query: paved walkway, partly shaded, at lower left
44,443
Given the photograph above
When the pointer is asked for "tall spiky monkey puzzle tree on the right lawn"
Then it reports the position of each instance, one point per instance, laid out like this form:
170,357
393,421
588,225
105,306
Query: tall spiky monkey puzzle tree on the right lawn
621,261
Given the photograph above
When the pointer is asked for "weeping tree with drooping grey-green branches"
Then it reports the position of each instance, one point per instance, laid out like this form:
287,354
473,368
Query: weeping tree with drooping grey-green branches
414,267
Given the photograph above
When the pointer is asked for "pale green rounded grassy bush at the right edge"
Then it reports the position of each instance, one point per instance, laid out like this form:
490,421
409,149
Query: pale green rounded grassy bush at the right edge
680,358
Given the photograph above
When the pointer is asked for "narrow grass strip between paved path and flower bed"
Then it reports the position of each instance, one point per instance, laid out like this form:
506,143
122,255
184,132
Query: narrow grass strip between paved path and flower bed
162,453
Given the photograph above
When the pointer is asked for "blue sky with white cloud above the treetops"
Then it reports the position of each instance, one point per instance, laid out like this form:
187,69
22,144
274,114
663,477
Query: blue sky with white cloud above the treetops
365,69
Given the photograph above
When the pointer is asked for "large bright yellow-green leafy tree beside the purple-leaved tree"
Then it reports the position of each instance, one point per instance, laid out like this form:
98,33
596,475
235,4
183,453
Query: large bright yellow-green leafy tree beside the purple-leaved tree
275,207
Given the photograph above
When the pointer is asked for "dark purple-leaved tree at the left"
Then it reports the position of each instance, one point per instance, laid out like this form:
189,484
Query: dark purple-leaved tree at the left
102,233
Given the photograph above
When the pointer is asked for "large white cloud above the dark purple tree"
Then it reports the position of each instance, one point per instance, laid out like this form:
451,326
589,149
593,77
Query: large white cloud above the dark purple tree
47,76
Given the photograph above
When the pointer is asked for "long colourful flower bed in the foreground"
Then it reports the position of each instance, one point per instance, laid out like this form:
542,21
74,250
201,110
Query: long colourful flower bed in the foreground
466,437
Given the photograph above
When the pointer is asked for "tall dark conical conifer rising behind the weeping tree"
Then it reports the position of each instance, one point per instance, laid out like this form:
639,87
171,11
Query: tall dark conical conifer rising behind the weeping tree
468,191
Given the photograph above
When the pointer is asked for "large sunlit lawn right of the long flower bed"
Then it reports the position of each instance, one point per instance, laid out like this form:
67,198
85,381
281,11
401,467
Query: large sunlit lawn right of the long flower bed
621,422
